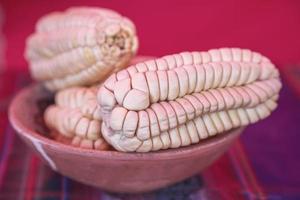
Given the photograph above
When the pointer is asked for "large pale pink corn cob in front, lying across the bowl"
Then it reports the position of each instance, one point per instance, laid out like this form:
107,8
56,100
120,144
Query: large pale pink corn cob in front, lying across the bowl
180,99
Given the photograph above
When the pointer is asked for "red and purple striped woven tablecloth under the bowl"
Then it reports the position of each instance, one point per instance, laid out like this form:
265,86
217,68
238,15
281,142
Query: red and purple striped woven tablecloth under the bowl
263,164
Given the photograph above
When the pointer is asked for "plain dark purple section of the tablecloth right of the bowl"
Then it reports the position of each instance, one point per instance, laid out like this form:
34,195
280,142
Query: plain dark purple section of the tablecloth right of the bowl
273,148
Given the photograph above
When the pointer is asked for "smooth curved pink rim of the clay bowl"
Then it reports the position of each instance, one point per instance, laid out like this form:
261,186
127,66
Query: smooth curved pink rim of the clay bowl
169,154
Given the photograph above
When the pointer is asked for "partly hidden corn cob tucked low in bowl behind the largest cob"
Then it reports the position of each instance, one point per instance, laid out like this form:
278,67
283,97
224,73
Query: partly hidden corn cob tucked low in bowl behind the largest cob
75,118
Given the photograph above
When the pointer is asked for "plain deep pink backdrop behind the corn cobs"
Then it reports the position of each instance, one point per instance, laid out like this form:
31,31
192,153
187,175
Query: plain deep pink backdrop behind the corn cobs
270,27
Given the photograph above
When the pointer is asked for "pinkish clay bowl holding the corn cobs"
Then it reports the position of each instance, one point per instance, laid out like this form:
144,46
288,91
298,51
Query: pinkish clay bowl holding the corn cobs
110,170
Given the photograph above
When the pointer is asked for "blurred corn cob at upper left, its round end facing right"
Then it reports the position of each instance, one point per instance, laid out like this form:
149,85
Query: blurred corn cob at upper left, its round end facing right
80,46
